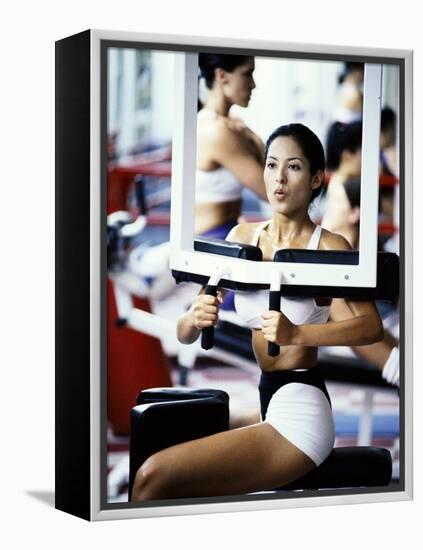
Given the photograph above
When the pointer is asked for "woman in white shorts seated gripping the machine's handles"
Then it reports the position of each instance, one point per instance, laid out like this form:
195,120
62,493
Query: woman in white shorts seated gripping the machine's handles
297,430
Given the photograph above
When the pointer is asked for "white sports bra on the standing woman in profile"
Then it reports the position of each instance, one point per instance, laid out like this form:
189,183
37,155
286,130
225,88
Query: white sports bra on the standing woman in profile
218,185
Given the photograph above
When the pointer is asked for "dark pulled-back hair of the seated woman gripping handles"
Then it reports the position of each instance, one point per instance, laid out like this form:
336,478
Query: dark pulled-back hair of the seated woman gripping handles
310,144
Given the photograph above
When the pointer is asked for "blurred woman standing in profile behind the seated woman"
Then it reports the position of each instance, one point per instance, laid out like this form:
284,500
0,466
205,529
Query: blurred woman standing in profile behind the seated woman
230,155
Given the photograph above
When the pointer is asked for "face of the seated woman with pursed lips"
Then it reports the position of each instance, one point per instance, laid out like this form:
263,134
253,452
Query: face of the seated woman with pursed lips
287,177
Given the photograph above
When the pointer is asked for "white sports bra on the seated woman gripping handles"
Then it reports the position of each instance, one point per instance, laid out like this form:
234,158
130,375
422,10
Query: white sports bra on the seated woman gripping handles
300,311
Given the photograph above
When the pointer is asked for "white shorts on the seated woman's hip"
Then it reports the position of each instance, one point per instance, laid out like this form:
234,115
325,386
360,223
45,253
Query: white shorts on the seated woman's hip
302,414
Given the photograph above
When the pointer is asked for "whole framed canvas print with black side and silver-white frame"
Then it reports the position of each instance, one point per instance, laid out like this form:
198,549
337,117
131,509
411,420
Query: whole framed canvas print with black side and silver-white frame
233,275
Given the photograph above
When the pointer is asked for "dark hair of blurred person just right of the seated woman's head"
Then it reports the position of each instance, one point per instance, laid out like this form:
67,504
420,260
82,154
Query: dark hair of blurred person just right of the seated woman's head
342,137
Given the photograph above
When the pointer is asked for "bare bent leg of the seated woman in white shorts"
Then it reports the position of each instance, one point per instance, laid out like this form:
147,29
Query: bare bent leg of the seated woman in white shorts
238,461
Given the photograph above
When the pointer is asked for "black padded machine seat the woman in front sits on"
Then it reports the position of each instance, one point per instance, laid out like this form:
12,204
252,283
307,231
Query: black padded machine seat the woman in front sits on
168,416
